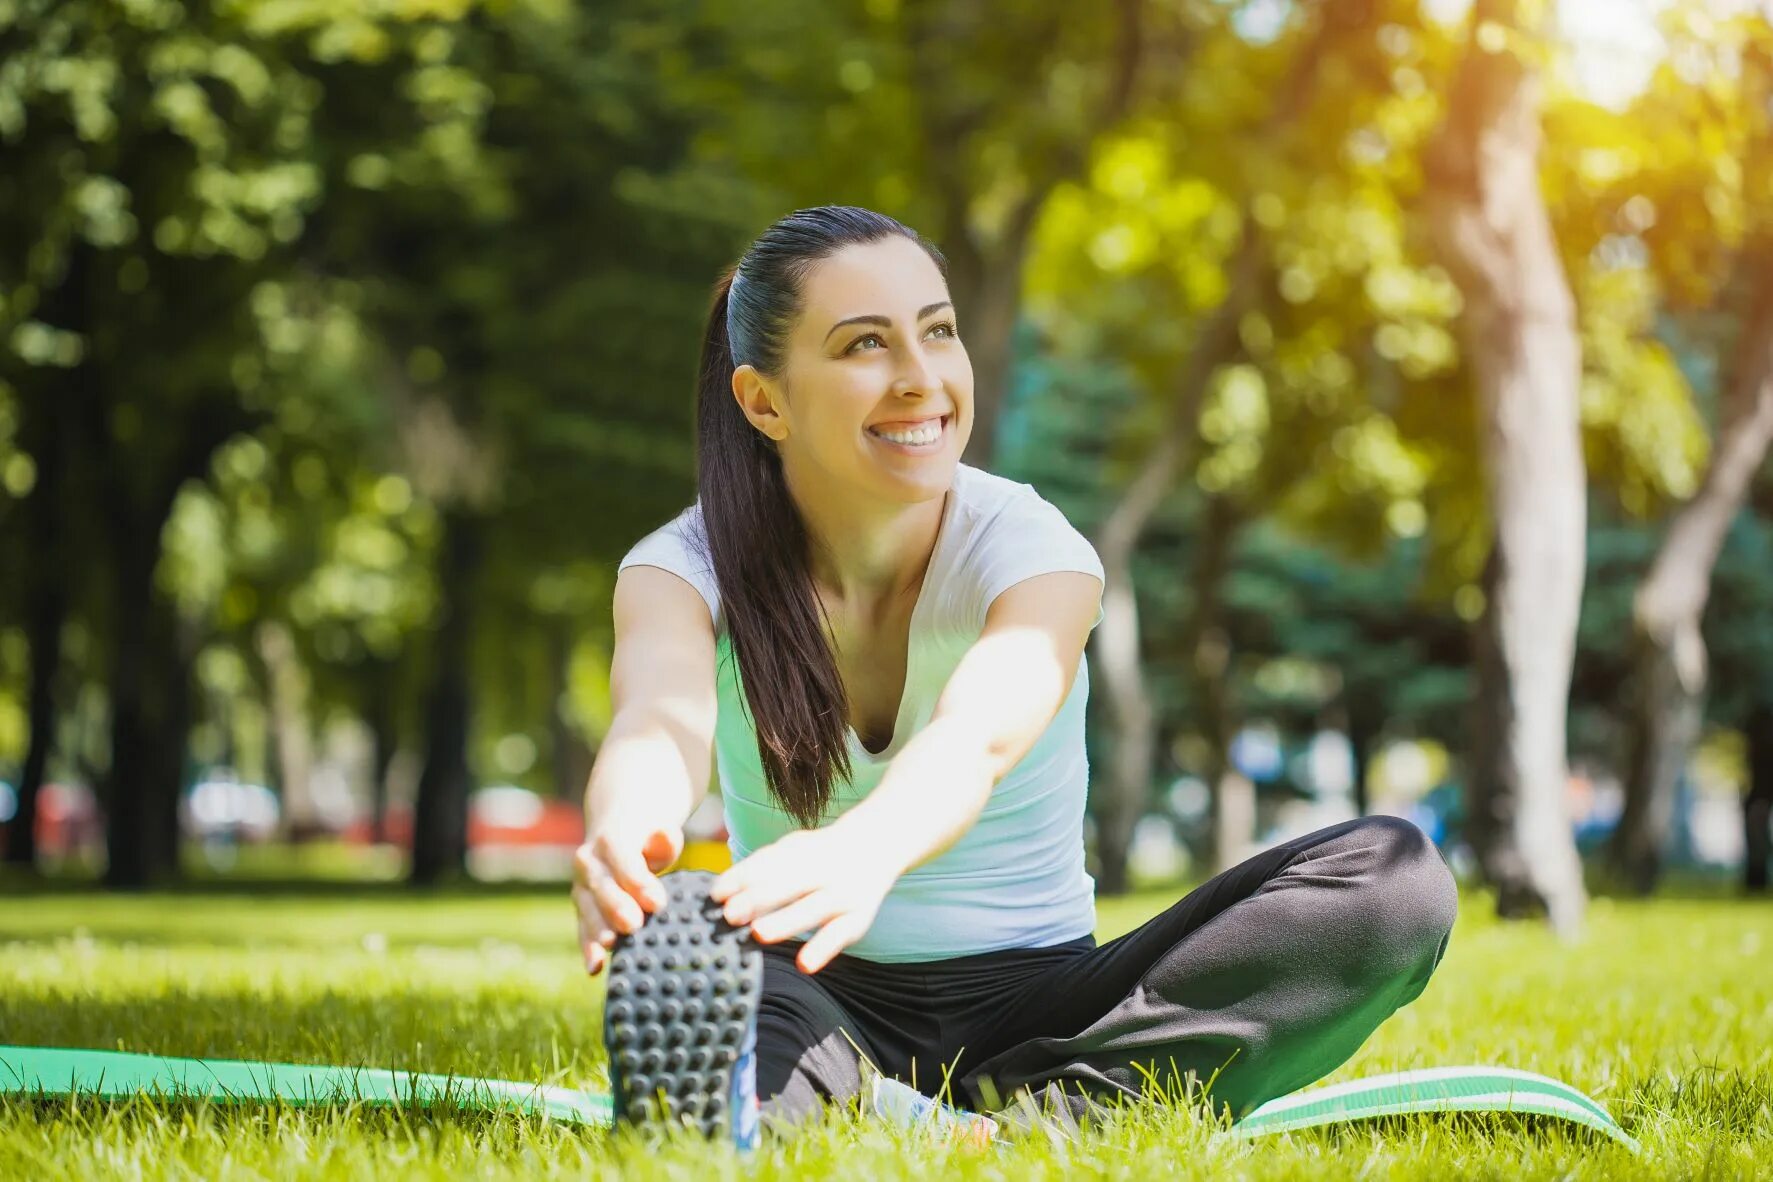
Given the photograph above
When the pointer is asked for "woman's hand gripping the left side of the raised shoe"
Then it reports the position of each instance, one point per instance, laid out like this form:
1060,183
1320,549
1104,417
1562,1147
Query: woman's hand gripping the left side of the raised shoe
616,880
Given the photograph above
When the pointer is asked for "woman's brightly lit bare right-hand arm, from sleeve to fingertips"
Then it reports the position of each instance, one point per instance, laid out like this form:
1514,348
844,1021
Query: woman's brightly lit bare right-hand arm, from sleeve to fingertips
1001,697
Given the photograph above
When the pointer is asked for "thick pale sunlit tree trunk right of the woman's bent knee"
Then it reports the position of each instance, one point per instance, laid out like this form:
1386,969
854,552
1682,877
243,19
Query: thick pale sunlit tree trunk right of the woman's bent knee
1520,341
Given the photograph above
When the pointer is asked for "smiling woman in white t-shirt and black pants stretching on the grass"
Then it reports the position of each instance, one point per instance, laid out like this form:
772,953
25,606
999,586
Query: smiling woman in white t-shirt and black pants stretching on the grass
903,765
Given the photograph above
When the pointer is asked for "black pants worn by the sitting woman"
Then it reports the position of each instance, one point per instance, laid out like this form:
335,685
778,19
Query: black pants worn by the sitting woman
1260,981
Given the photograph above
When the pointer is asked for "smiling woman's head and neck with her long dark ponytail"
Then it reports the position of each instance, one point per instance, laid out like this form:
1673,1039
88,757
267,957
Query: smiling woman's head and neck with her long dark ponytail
845,419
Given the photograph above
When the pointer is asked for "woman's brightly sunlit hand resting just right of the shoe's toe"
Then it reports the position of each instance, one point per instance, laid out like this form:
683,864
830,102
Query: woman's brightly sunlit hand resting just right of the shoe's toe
822,880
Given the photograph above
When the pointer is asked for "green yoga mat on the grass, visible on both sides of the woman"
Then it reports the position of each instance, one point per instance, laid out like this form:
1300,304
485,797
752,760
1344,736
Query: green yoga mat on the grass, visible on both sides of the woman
116,1075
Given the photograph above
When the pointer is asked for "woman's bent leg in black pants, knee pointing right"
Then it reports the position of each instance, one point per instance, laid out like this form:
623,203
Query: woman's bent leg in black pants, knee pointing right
1261,981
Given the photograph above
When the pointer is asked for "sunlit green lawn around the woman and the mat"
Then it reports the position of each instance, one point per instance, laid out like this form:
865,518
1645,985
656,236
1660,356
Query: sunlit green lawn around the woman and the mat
1664,1013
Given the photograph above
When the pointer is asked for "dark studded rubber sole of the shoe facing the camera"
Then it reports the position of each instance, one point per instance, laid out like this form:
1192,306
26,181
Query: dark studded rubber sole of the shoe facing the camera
682,1000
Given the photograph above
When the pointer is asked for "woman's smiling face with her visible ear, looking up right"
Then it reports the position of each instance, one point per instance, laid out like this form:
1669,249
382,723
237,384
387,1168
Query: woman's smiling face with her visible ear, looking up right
873,354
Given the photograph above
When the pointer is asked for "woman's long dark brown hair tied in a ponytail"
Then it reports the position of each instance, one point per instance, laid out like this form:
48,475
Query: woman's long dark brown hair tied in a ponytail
756,540
